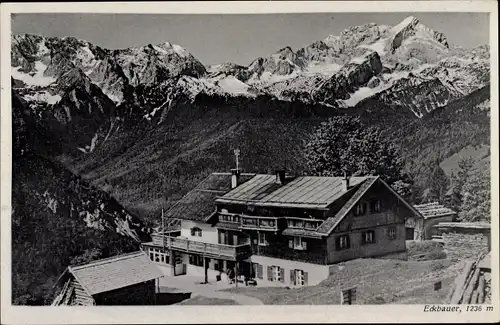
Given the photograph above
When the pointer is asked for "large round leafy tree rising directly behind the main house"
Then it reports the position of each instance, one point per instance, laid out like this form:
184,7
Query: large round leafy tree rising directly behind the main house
343,143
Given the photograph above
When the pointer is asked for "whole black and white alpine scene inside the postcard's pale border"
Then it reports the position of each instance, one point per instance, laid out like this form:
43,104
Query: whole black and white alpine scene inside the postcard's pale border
265,159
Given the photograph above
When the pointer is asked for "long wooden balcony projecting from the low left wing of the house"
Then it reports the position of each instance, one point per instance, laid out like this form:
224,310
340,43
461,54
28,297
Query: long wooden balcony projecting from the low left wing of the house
221,251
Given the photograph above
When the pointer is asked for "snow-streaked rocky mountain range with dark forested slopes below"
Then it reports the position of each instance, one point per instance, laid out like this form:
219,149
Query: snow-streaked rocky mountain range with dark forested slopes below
139,127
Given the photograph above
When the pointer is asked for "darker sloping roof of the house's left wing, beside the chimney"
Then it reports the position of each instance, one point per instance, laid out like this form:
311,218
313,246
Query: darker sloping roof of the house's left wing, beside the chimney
199,203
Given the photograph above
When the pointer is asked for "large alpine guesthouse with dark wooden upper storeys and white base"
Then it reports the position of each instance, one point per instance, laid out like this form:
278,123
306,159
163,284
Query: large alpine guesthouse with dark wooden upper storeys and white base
290,230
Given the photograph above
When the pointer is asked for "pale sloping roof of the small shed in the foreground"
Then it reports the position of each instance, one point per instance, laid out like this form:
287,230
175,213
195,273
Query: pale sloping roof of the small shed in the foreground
115,272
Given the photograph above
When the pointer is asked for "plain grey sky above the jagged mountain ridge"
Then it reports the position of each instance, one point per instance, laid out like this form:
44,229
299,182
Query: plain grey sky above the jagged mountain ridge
238,38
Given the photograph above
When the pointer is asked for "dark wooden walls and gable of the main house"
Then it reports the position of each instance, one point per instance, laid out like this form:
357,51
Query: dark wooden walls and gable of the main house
382,212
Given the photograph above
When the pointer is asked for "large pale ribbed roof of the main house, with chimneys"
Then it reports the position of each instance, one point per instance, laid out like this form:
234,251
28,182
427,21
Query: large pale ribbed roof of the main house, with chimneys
304,191
